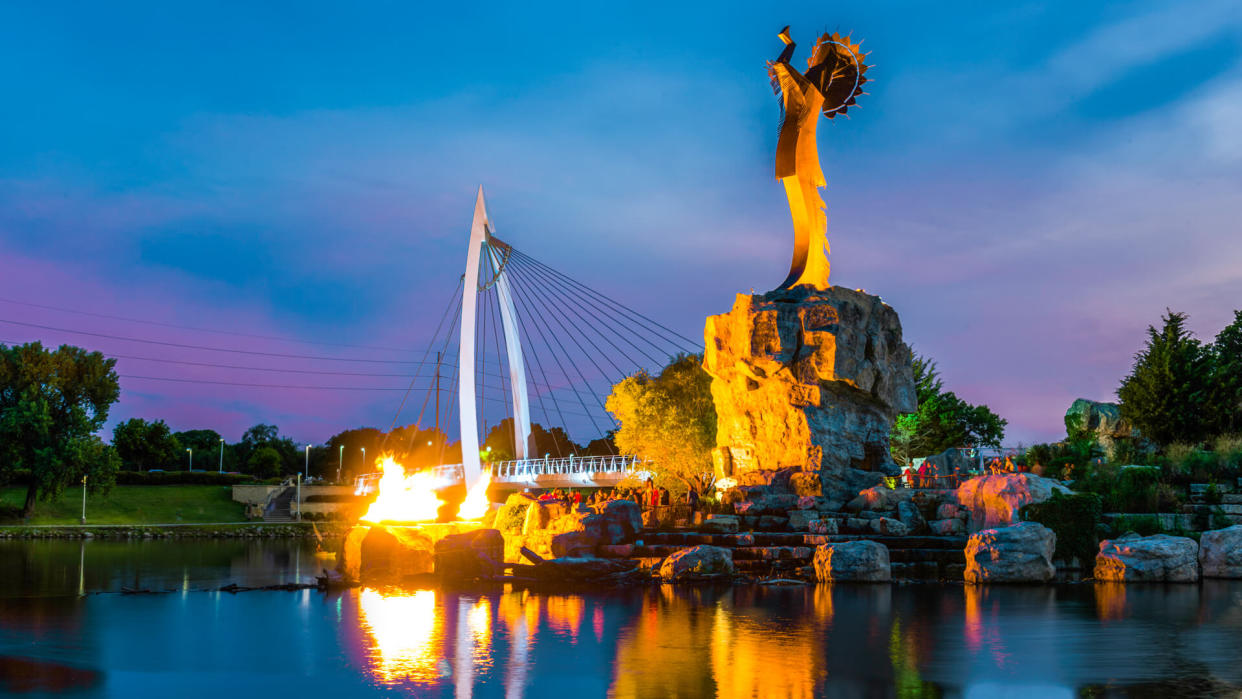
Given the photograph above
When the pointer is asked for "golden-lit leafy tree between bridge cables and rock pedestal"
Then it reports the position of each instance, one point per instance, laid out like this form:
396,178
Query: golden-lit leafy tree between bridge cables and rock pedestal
669,420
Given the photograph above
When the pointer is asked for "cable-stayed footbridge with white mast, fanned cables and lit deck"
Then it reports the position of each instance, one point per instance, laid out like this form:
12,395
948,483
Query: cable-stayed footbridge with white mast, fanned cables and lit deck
538,343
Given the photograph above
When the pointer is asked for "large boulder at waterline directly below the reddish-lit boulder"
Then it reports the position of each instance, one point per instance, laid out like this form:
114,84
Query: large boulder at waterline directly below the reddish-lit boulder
1022,553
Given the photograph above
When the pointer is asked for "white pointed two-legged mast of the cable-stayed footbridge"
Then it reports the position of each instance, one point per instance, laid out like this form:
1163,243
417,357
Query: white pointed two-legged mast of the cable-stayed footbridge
496,253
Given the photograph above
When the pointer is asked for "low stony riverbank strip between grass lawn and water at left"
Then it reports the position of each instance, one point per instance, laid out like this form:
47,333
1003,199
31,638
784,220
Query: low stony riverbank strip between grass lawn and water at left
197,531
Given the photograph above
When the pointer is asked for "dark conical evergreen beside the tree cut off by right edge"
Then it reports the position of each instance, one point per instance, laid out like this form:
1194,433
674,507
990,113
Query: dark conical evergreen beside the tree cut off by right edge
1167,393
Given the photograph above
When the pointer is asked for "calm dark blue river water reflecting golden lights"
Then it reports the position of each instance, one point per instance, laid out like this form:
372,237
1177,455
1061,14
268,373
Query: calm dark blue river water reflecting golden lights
68,631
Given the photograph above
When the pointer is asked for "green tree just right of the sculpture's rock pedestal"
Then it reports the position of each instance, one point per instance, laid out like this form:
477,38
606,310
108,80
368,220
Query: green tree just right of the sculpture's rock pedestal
943,420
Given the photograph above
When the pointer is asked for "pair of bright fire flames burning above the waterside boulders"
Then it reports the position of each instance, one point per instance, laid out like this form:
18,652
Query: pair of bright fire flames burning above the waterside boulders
413,498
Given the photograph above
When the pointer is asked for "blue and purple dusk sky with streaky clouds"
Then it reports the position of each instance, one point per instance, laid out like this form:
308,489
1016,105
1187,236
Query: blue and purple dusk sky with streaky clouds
1029,184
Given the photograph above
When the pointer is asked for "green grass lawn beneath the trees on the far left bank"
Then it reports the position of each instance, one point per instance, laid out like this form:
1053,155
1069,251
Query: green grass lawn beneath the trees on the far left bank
132,505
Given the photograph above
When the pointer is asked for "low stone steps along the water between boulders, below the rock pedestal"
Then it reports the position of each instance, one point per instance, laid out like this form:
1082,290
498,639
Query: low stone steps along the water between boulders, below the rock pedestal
789,554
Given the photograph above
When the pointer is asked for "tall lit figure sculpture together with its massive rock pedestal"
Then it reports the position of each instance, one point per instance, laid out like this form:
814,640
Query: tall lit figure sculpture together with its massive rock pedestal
808,378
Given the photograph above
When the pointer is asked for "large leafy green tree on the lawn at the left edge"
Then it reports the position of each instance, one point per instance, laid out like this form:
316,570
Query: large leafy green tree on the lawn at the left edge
52,404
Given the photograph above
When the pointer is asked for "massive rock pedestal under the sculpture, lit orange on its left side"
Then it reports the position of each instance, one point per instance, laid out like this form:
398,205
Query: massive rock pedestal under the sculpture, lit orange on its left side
809,379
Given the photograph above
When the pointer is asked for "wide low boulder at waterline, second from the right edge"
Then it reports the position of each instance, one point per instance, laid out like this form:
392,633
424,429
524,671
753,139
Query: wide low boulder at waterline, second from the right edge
1148,559
